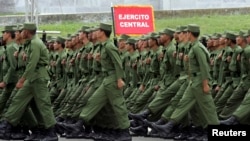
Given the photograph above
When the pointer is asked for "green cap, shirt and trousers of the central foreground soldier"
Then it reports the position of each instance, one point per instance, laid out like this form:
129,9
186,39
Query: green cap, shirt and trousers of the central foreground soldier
108,91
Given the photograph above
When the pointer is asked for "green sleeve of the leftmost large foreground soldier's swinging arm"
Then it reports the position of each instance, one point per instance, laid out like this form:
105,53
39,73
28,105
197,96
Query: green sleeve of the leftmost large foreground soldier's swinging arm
33,59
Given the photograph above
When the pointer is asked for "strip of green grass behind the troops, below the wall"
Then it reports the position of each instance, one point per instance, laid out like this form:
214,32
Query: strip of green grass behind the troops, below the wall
208,24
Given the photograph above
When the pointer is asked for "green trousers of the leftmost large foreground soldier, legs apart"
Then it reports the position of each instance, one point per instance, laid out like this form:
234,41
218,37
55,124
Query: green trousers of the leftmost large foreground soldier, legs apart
39,91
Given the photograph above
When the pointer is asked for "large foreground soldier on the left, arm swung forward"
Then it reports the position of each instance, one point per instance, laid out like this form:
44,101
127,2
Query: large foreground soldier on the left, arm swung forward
32,85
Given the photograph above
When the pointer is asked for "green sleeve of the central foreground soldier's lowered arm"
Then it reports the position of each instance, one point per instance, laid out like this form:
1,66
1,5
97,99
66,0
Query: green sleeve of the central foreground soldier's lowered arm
116,59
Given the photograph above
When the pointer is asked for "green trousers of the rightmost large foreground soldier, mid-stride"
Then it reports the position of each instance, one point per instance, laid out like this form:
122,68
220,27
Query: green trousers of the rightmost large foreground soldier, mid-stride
193,96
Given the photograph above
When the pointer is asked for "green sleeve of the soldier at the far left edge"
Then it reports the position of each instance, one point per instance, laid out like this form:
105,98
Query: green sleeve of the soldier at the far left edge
12,64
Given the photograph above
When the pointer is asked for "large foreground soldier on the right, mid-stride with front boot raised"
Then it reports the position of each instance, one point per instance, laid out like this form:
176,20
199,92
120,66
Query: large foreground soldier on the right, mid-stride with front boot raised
198,90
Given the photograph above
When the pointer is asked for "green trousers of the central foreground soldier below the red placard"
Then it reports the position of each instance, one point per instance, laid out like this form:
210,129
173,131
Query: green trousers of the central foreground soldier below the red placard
107,93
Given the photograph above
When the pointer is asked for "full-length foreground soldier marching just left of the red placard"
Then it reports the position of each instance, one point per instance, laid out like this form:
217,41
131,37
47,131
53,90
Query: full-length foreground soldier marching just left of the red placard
110,91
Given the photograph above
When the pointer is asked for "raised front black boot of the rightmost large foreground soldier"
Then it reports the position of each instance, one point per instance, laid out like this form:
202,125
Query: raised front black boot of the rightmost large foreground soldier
164,129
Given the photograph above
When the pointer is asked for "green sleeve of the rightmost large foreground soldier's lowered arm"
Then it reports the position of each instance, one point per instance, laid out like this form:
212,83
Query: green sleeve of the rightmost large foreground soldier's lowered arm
203,63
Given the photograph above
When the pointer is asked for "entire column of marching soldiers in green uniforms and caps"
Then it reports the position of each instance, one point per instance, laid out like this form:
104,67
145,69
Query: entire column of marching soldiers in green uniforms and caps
171,84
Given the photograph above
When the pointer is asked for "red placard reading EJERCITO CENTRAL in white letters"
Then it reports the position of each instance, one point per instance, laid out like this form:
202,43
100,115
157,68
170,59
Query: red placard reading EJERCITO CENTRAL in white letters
133,20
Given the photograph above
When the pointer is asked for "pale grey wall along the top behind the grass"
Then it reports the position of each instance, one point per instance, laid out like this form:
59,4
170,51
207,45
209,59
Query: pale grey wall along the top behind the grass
96,6
